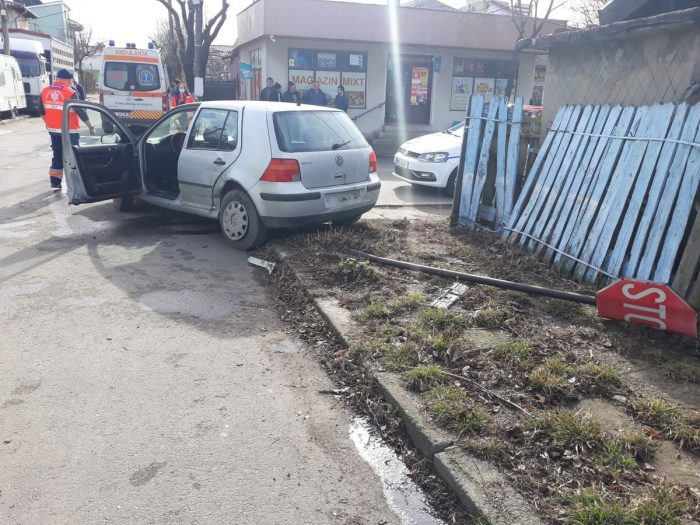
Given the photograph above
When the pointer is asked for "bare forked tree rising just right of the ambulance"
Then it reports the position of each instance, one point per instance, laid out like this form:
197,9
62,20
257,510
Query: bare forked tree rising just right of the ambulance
182,13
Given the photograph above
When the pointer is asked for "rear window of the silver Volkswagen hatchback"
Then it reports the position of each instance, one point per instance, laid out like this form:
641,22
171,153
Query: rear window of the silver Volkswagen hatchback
299,131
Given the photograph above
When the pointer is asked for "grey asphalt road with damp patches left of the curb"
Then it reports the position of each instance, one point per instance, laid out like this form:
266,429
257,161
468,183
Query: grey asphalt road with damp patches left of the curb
146,377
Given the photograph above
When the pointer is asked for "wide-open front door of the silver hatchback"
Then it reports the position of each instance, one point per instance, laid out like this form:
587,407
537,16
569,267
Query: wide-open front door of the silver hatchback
101,166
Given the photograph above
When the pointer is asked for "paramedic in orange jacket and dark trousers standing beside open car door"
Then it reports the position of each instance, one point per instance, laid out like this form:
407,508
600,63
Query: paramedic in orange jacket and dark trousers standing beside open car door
51,109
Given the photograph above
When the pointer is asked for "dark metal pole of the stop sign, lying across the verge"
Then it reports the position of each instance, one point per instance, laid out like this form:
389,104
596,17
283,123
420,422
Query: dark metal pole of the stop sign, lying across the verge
480,279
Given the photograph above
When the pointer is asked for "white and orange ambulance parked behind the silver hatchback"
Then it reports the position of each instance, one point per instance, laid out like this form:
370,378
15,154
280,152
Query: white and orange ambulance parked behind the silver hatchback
133,84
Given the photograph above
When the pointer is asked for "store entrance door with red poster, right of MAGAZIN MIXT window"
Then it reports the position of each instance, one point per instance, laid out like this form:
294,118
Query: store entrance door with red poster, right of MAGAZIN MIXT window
414,93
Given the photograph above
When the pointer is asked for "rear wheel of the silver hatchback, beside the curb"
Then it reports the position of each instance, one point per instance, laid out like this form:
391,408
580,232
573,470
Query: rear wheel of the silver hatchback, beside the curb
240,222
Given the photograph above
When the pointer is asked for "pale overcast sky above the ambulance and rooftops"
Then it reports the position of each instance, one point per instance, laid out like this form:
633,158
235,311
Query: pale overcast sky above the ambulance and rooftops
135,20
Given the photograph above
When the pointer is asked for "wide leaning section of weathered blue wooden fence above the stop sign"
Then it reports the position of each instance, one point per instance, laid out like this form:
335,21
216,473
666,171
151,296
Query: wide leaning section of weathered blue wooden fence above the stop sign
612,194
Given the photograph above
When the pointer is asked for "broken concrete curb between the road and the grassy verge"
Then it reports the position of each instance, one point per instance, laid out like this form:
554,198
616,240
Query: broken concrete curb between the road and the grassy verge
480,486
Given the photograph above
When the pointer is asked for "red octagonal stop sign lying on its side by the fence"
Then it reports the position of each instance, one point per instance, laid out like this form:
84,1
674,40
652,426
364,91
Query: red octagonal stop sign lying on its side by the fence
648,304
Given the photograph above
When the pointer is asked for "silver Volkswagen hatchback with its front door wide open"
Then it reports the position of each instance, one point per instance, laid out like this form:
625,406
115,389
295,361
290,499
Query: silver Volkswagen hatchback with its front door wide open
251,165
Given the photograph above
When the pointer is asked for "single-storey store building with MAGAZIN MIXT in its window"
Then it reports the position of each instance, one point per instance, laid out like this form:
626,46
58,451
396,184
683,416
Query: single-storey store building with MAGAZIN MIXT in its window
410,64
